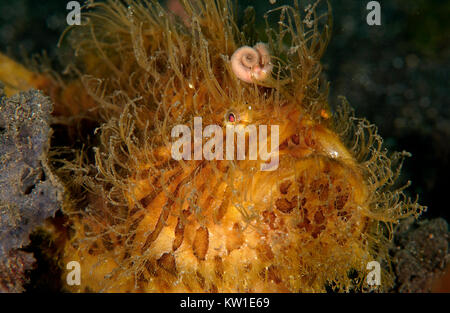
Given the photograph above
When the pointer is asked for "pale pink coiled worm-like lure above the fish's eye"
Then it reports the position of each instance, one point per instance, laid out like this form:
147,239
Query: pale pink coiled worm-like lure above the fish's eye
250,64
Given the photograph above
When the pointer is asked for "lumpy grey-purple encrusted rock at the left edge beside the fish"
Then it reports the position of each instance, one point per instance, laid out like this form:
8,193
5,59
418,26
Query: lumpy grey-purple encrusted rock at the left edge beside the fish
29,193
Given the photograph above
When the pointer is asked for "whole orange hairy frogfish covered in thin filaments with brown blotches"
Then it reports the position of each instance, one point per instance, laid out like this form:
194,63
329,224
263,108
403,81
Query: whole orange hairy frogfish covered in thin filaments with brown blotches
139,221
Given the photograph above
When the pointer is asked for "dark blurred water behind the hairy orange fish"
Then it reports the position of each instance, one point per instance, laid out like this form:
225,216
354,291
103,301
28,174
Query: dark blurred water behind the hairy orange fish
395,75
